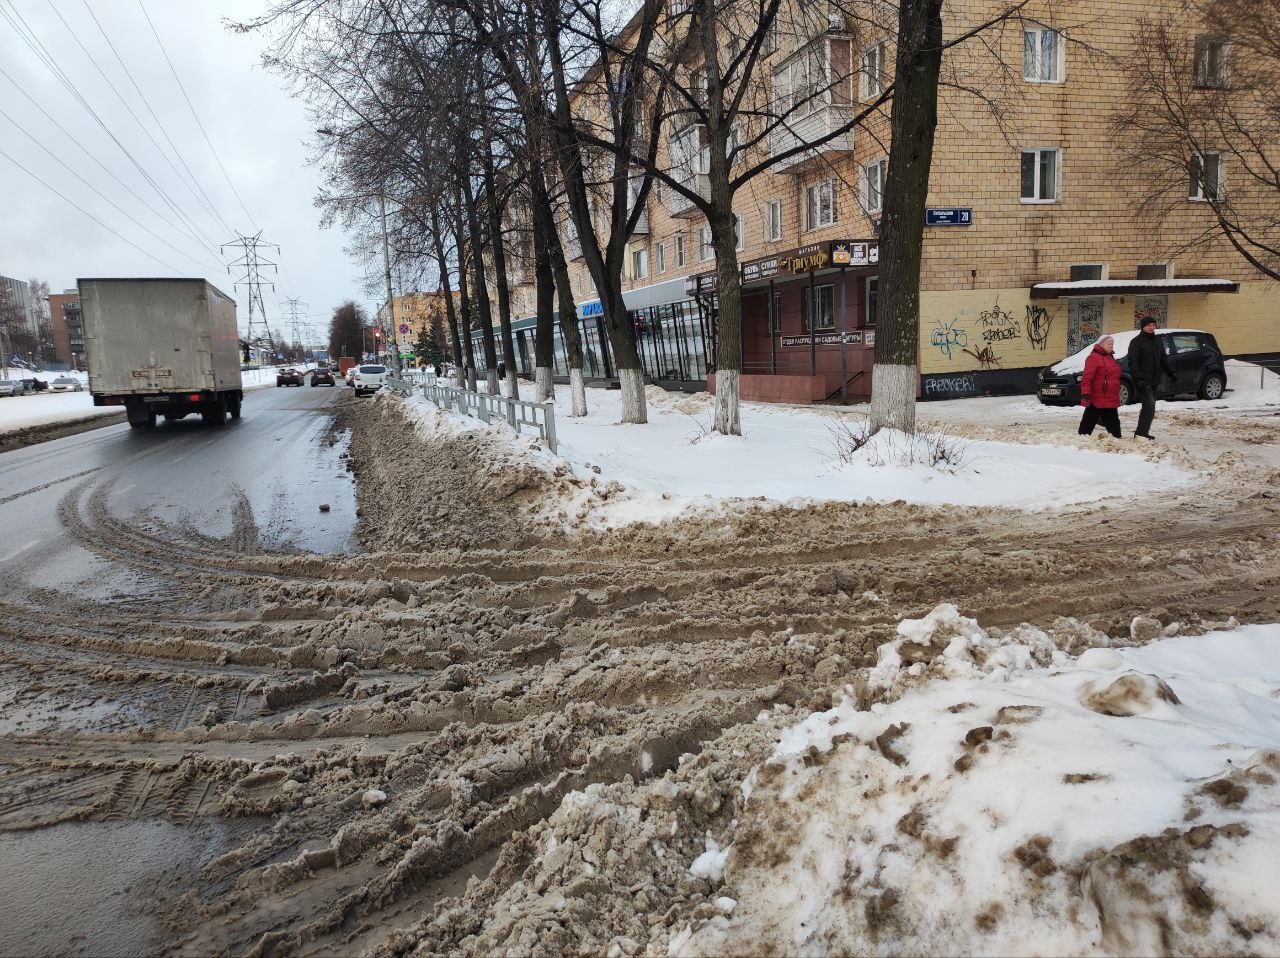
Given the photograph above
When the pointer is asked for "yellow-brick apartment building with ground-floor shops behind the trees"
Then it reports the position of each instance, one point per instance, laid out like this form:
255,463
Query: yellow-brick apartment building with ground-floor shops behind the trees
1034,248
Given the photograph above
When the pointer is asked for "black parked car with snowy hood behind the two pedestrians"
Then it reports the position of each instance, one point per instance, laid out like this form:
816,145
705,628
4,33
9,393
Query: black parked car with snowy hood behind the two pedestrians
1195,355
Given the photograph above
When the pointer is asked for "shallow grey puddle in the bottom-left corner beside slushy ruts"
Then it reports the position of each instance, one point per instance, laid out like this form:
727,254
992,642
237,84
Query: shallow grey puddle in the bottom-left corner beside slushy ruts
97,888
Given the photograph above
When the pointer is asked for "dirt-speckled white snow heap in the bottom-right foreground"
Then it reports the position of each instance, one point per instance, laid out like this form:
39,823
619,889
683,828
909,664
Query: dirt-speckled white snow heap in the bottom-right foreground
1008,799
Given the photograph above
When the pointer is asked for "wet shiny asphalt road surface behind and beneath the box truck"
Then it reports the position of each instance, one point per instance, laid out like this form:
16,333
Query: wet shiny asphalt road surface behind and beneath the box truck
264,477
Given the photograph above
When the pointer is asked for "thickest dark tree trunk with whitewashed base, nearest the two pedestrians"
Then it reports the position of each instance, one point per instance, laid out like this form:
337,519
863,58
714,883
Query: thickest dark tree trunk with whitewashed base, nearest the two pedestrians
913,122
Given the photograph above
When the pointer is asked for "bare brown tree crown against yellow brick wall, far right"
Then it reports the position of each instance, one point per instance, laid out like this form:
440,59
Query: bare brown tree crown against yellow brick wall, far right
1204,122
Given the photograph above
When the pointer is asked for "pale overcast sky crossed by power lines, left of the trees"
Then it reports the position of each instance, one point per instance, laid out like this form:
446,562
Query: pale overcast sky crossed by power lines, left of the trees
258,130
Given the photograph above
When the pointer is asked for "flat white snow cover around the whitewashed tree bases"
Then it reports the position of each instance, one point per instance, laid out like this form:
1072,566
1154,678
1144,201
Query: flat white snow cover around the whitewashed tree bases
790,455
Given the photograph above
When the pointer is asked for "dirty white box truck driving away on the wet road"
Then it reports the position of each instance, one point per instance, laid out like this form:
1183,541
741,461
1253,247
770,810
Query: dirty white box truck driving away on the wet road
162,348
